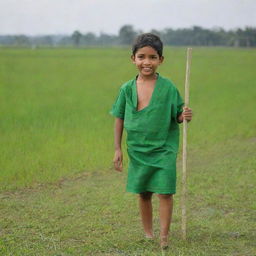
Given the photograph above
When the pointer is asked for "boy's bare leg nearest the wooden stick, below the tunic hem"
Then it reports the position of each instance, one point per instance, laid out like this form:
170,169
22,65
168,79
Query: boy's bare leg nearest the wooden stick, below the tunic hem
165,213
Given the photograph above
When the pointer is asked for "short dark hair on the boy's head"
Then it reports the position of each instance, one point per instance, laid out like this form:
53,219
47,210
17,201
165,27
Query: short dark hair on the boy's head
148,39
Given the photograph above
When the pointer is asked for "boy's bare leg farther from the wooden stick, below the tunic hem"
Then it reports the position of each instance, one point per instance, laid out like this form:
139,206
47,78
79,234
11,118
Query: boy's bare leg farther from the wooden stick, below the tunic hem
145,204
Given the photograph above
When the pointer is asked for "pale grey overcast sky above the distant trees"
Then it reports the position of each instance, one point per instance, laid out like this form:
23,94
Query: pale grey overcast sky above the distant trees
64,16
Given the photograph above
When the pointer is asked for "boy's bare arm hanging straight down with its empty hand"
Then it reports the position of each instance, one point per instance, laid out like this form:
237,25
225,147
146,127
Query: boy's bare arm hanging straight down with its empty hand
118,132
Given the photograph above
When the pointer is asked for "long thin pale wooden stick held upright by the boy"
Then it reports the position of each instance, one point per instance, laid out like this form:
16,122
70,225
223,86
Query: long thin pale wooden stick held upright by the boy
184,158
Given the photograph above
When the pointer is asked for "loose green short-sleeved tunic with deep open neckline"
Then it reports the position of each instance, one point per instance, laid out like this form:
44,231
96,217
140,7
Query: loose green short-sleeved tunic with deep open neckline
152,136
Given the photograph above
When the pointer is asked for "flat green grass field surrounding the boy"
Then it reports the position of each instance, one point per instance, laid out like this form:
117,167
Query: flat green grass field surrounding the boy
59,195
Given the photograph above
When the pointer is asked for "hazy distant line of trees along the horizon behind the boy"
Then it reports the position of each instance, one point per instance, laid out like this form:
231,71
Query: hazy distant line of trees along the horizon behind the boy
194,36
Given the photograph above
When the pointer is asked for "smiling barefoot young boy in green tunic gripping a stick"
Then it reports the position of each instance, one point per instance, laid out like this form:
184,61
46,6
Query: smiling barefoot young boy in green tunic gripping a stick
150,108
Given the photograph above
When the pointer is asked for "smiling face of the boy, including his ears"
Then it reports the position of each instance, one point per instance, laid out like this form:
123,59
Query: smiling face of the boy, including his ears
147,61
